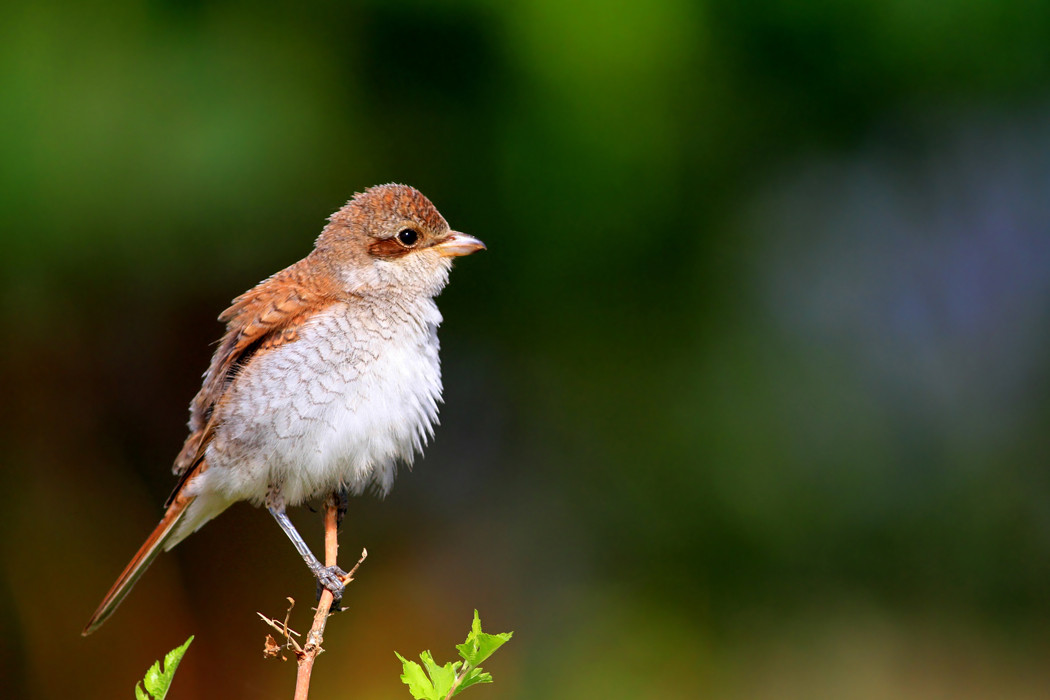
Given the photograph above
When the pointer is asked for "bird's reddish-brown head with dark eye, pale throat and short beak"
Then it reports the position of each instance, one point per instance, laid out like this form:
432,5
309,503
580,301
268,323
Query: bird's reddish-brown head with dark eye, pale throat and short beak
391,238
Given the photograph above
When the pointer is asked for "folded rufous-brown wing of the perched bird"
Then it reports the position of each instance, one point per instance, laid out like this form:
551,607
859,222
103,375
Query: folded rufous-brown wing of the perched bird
266,317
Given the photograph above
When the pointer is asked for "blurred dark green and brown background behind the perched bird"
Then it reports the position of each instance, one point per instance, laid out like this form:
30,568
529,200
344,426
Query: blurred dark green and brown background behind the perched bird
748,398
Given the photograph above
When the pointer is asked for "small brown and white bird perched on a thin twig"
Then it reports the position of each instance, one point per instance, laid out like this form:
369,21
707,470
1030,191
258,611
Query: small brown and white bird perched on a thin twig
328,377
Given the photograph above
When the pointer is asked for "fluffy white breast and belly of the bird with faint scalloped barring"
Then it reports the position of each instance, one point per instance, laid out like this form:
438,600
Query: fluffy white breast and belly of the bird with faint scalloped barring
356,393
